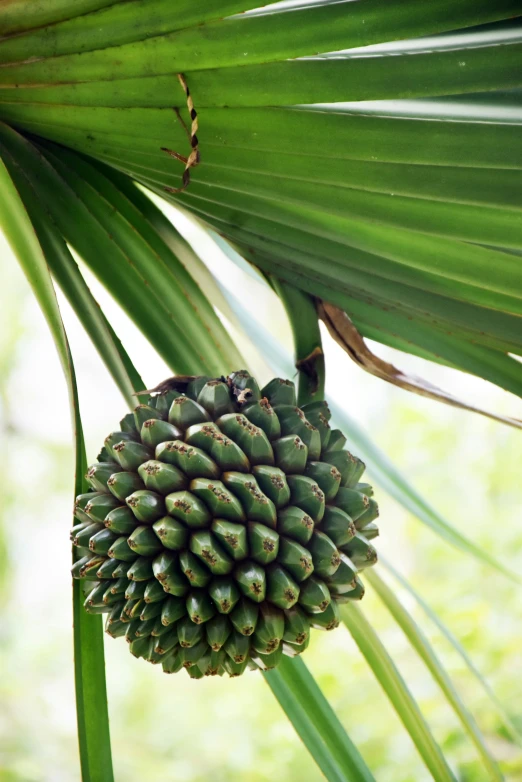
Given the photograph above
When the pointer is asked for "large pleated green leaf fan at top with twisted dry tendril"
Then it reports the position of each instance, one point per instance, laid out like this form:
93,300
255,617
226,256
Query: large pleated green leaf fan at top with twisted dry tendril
299,187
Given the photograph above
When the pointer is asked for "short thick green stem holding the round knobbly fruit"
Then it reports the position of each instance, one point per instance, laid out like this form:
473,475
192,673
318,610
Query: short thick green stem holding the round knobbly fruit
309,357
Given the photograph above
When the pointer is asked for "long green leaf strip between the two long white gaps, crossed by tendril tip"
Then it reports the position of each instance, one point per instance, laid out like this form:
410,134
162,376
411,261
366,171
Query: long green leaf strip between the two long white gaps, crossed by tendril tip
345,79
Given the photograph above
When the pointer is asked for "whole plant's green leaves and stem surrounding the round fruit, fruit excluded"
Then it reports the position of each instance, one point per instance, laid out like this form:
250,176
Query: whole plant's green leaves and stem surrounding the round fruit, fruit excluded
363,156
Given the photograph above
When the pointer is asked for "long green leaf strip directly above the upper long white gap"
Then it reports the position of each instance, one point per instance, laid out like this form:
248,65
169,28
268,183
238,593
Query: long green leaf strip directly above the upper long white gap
291,33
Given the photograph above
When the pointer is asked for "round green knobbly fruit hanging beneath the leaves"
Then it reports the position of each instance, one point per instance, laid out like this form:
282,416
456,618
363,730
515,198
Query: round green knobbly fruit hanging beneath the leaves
223,523
